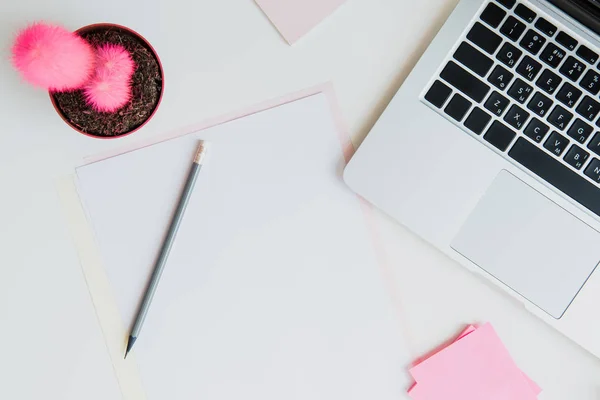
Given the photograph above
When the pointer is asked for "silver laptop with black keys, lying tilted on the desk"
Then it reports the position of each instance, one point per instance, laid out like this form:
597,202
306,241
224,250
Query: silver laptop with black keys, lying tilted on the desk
490,151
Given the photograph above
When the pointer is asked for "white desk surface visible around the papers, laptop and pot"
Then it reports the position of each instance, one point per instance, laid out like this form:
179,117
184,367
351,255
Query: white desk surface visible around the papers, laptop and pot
220,56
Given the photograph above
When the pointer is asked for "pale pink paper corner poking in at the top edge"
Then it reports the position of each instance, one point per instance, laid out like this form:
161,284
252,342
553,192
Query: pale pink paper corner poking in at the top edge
294,18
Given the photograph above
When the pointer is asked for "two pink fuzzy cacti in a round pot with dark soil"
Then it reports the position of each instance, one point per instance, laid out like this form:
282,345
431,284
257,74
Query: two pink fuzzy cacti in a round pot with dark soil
104,80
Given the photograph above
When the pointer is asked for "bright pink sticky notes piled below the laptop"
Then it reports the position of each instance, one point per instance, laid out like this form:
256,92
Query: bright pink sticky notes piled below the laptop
476,366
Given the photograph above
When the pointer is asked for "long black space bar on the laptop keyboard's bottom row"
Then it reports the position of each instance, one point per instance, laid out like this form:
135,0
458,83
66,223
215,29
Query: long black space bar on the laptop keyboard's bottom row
556,174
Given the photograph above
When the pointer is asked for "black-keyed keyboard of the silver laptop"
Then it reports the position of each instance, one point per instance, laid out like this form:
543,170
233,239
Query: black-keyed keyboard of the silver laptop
528,89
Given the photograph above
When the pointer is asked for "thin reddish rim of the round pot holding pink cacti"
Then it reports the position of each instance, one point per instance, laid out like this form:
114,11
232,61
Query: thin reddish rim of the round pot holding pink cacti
102,26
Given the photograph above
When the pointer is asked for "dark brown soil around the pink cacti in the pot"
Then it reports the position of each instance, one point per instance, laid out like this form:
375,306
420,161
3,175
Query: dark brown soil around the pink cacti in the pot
147,86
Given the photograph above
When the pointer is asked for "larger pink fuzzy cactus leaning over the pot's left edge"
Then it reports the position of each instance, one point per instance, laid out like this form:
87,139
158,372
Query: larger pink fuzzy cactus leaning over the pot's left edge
53,58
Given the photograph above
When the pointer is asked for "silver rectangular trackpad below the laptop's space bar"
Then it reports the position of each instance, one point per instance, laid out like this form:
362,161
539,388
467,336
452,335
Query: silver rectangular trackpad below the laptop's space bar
530,244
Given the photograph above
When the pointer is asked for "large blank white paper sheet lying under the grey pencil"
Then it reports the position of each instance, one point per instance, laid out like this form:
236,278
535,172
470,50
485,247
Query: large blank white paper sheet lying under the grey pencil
272,290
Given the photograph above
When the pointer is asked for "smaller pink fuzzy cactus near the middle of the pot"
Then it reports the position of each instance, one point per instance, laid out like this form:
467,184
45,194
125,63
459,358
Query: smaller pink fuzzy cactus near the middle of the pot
110,87
